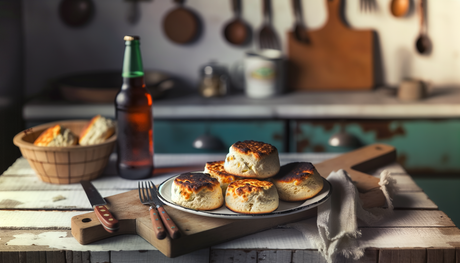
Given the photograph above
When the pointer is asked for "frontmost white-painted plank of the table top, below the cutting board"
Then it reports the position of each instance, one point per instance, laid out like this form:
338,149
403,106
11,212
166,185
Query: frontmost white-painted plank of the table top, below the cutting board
45,240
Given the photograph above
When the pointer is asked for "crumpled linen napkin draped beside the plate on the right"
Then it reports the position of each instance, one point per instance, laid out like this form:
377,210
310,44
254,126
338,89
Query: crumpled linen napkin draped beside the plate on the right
336,229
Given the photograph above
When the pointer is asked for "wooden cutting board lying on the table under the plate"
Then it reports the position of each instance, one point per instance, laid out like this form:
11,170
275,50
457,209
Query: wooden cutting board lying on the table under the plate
200,232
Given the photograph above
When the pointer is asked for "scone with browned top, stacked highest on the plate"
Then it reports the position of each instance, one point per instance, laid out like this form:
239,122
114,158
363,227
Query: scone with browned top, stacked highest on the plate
252,159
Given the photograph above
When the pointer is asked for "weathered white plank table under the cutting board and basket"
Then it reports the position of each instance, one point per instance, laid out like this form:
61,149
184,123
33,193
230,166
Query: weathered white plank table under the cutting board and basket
35,224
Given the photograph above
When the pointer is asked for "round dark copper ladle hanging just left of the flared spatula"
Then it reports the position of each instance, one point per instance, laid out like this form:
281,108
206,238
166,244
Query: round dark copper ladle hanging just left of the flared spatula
237,32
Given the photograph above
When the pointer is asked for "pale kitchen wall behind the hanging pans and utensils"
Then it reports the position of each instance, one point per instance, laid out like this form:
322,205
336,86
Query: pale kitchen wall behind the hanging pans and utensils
53,49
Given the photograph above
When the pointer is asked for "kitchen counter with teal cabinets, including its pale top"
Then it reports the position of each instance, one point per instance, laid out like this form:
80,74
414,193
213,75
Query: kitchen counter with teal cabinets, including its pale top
297,122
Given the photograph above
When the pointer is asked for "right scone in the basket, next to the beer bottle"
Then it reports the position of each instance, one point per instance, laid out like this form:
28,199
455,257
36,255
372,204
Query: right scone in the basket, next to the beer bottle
97,131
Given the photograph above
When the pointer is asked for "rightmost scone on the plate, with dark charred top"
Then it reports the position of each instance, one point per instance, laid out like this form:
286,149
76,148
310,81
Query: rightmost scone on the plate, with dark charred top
298,181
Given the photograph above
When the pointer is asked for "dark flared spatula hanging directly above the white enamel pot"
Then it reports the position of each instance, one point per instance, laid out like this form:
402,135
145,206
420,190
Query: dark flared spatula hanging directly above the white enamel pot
267,35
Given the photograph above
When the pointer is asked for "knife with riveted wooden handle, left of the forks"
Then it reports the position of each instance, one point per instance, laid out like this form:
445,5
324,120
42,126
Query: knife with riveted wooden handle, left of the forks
108,221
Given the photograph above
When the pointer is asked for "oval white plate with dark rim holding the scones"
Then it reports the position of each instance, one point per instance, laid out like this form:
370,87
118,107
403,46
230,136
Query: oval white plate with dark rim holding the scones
284,208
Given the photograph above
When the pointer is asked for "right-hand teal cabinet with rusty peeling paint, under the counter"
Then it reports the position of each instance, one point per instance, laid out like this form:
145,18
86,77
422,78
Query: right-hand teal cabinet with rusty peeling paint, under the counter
423,146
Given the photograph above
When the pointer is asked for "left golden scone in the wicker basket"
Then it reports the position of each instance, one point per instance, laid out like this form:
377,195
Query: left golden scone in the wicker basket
56,136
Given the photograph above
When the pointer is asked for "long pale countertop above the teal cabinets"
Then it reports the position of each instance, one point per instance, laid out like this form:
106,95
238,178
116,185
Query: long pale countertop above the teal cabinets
376,104
